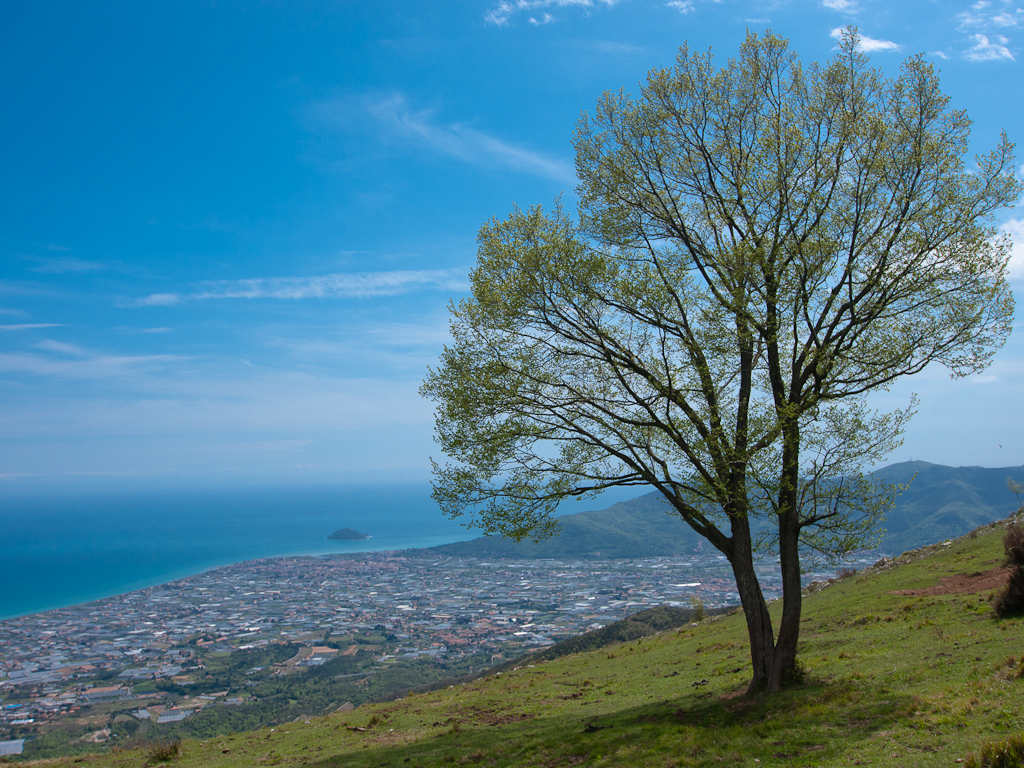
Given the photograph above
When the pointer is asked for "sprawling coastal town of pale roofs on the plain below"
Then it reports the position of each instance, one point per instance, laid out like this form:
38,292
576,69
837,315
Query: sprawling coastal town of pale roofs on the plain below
62,663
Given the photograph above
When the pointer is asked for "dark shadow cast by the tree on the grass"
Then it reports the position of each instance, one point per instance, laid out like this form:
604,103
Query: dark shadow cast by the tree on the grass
801,727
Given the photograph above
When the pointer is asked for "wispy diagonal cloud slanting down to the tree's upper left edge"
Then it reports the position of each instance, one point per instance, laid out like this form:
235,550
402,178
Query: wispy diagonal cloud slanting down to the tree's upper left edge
466,144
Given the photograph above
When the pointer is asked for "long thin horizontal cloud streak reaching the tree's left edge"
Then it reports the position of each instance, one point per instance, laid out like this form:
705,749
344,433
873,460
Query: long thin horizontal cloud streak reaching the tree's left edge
338,286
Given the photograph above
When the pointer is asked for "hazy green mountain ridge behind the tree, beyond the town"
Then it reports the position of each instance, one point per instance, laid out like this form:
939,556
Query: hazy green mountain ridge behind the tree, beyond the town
941,503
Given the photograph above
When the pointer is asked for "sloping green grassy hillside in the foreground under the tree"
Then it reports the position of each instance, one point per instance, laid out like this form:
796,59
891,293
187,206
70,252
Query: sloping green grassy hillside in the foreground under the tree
891,680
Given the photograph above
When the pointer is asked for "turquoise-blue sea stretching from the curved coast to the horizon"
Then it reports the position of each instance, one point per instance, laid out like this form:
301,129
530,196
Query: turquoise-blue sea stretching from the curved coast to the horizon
70,548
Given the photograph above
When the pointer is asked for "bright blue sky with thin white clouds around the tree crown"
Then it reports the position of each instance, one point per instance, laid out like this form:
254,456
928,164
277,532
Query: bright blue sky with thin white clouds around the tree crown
230,231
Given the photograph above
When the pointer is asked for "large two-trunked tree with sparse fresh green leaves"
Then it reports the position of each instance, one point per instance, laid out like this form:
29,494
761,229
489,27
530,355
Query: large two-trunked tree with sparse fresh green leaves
759,248
